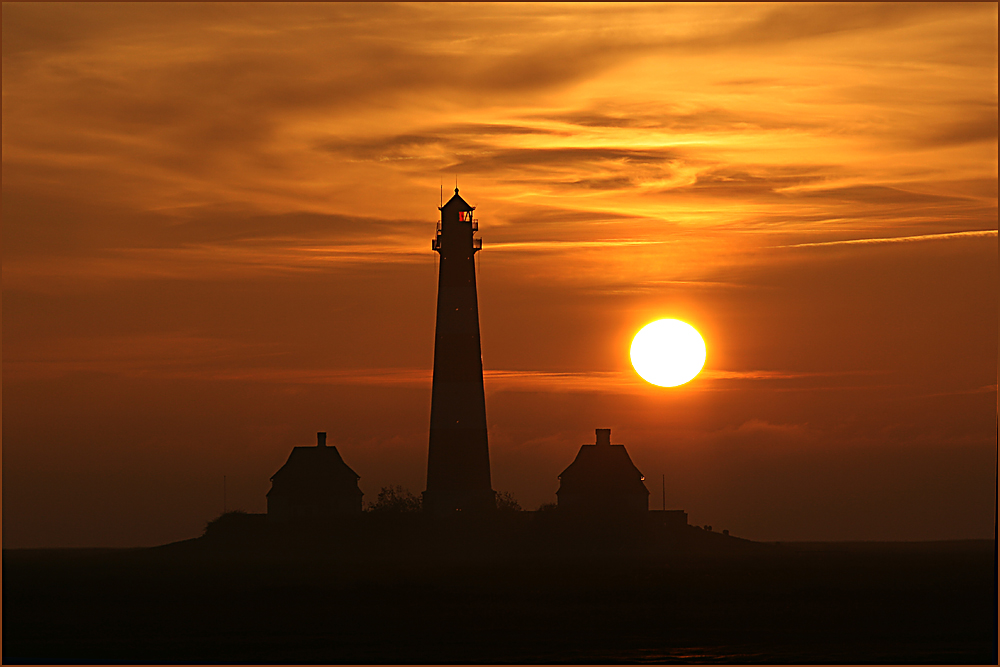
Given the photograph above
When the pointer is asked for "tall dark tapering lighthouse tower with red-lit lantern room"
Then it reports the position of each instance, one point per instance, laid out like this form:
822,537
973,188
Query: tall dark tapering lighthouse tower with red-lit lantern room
458,461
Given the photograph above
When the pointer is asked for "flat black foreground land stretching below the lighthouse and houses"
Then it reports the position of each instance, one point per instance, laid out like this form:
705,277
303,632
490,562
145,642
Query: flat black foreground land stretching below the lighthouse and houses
406,603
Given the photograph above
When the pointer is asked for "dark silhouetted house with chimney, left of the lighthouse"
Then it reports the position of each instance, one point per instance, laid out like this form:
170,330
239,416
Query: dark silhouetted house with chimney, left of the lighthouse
314,482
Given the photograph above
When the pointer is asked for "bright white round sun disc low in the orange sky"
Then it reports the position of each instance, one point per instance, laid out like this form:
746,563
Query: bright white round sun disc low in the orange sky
668,353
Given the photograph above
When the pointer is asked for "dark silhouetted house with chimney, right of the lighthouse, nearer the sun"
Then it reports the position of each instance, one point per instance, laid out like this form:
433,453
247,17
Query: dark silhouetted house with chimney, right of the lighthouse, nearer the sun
603,480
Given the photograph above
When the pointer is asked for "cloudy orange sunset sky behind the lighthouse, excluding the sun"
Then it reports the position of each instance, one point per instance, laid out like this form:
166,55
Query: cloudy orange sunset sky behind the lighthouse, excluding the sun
216,242
